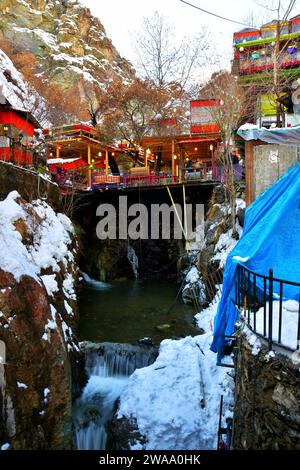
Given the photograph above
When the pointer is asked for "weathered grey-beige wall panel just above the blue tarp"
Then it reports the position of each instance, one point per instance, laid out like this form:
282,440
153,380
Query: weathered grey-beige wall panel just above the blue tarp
270,163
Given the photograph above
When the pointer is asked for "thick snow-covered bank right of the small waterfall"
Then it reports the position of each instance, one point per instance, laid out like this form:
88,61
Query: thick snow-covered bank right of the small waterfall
184,374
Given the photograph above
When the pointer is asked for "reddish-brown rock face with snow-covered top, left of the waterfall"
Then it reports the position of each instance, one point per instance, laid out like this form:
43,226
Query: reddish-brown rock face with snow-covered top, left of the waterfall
37,314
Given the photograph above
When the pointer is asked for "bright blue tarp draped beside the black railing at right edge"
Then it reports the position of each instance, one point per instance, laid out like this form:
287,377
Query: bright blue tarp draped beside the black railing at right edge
270,240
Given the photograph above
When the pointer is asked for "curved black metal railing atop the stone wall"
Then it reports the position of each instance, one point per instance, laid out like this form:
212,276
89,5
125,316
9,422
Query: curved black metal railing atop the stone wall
262,301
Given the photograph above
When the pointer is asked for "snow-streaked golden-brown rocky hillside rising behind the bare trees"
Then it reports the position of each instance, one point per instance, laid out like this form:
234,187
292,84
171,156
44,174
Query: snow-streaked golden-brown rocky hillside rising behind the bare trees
58,43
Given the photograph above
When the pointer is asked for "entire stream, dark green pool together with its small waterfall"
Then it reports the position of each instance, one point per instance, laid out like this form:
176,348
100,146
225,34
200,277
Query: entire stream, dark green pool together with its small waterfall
114,317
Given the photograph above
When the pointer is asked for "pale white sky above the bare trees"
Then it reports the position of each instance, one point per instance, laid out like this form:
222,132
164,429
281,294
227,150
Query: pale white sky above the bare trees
121,17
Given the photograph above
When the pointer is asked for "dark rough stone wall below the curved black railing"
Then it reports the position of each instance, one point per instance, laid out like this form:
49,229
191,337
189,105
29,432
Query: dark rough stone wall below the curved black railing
267,408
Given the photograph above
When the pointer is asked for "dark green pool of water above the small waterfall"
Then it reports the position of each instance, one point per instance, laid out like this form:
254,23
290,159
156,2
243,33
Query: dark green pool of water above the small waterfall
126,311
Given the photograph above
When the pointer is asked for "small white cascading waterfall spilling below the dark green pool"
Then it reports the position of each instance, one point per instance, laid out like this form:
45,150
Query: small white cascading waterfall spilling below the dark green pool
108,367
